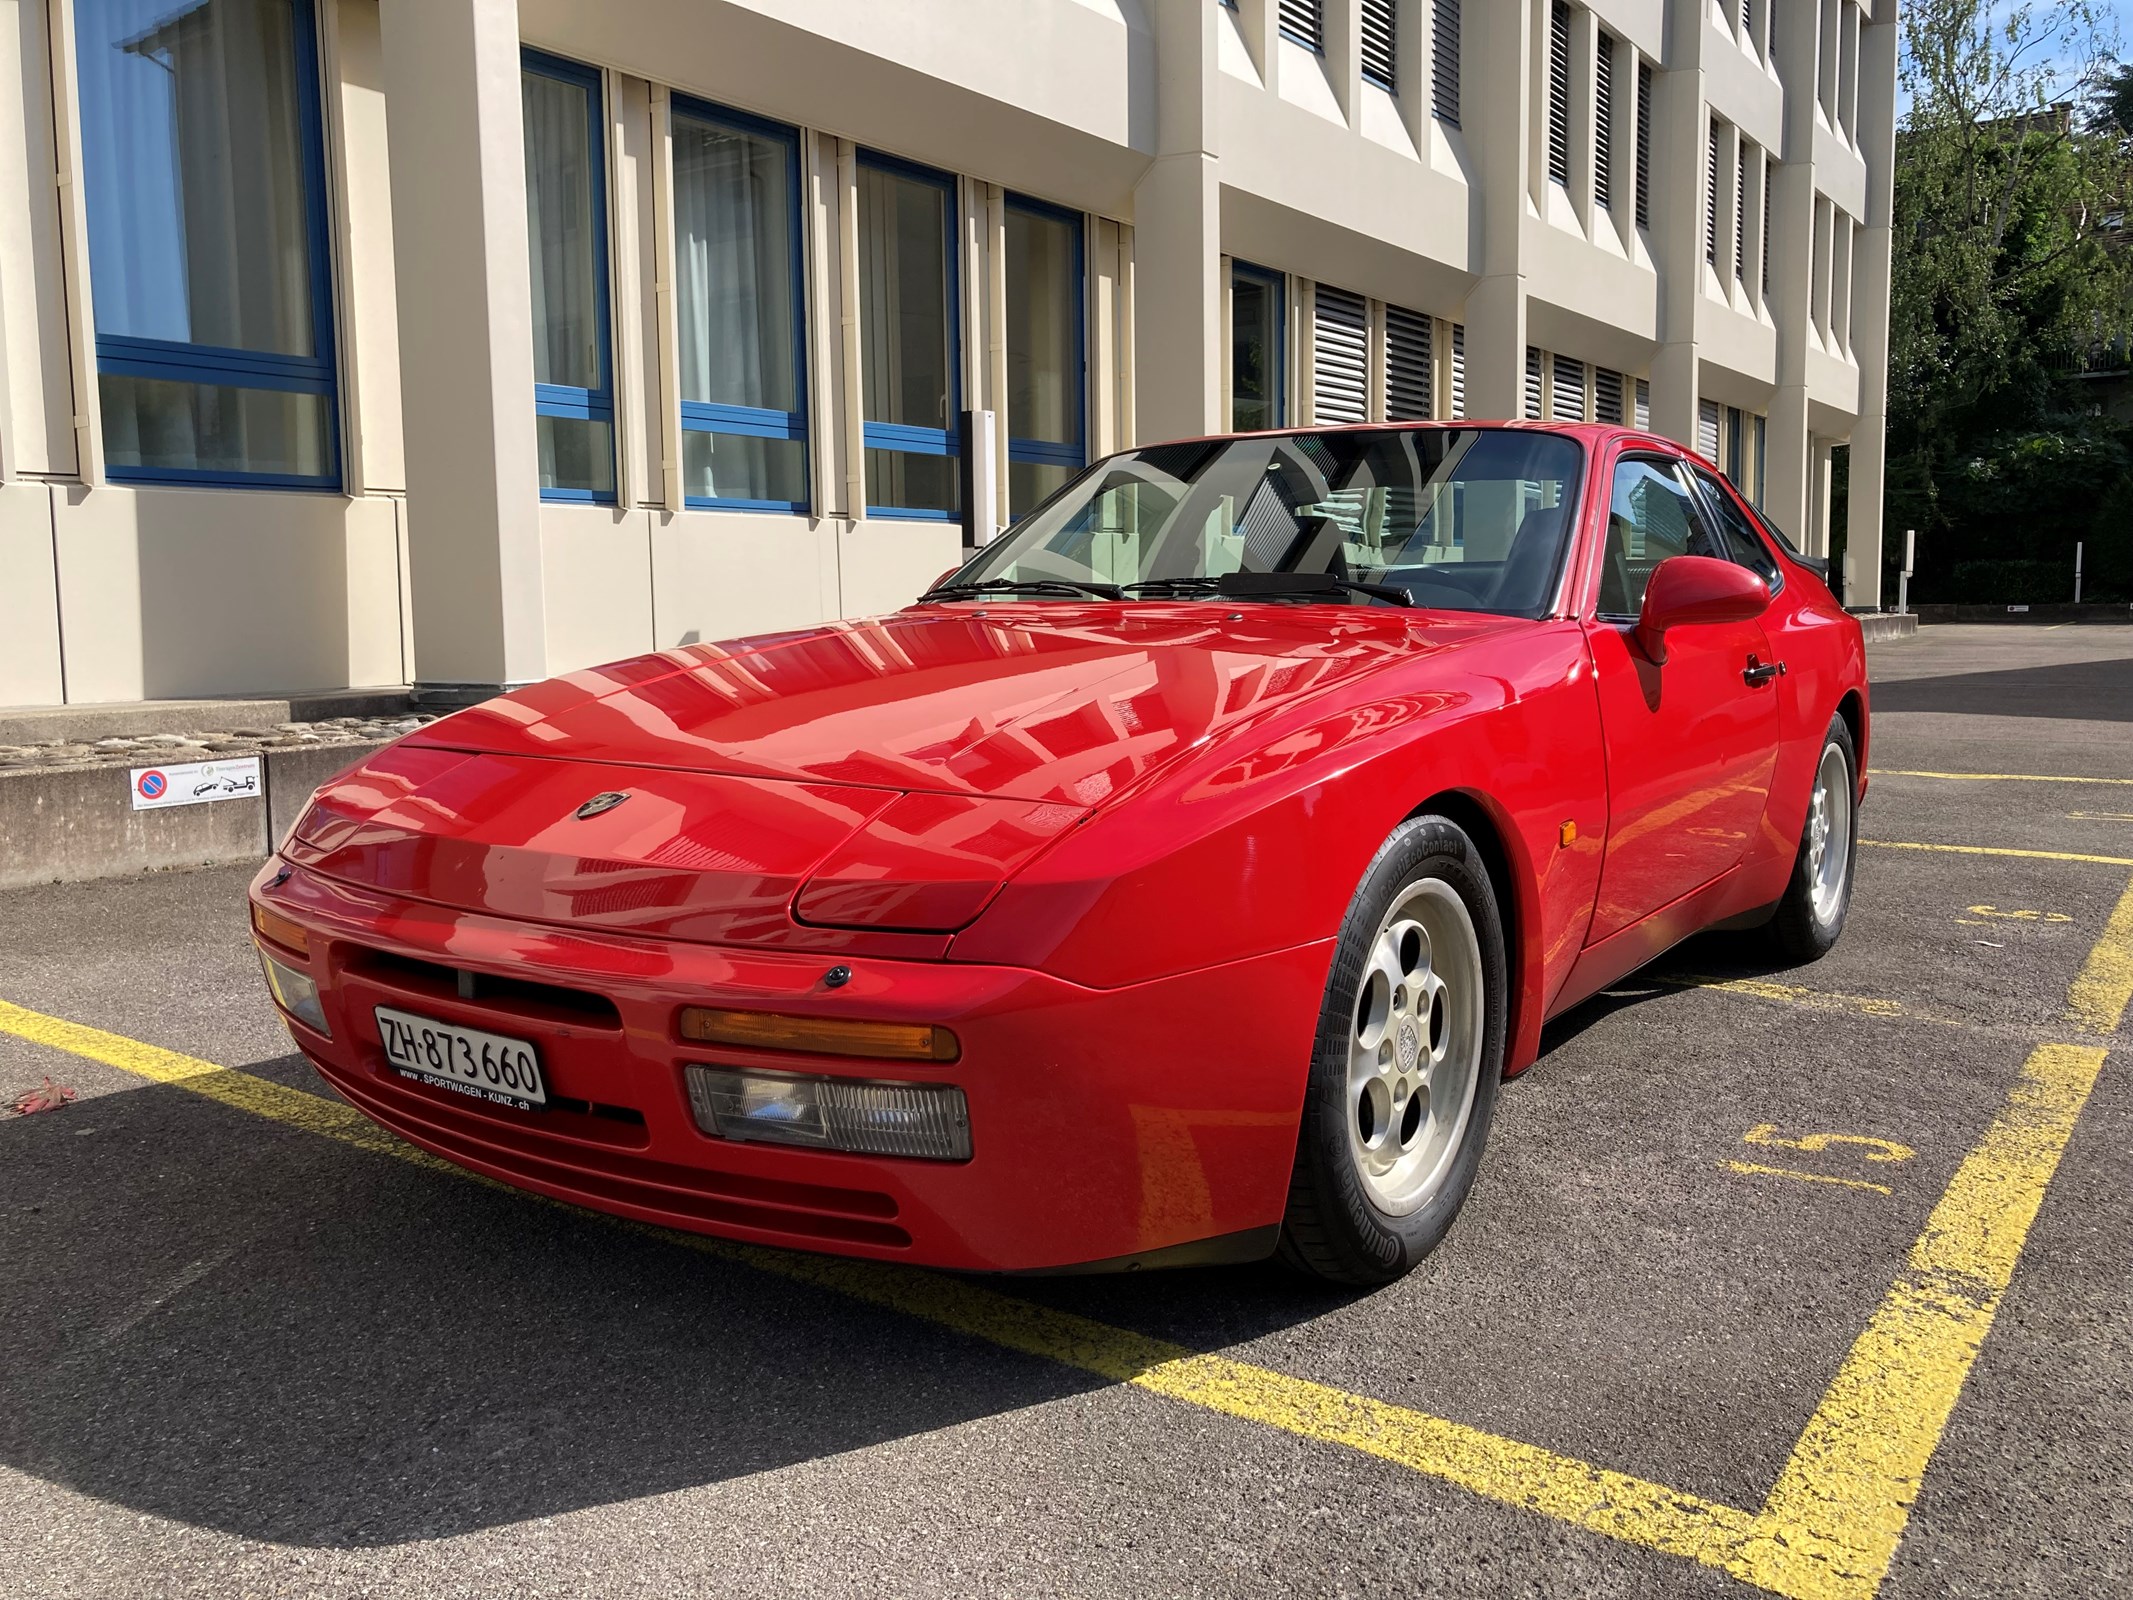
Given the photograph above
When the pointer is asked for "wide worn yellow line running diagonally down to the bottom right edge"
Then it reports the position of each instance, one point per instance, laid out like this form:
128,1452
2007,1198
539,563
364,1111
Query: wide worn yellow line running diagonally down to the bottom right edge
1840,1507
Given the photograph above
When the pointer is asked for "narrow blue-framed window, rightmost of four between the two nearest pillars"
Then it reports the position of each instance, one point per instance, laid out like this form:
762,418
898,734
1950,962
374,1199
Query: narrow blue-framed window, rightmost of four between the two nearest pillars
1044,353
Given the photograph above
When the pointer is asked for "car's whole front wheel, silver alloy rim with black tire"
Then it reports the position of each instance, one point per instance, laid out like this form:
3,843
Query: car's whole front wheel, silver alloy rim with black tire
1407,1066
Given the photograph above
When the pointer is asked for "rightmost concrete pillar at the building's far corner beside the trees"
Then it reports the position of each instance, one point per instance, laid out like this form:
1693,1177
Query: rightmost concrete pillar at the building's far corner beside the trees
1867,487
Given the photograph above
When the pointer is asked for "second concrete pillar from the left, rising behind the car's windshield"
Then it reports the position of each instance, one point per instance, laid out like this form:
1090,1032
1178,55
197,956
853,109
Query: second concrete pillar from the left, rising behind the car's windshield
1178,238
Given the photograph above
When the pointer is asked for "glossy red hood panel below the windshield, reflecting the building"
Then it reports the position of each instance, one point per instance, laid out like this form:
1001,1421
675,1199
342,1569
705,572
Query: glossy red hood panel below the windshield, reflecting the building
1063,705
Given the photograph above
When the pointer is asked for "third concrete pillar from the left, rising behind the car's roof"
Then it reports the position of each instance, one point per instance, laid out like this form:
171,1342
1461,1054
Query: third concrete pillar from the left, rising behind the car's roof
1498,103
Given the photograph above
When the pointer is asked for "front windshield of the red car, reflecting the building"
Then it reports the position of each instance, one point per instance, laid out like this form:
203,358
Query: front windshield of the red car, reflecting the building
1456,519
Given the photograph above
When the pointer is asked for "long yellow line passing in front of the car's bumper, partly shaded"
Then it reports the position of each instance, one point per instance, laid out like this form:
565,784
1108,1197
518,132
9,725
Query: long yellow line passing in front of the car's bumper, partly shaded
1486,1465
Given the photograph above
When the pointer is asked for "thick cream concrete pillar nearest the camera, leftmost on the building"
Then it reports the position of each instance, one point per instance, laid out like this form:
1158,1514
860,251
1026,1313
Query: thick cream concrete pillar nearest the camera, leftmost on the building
464,291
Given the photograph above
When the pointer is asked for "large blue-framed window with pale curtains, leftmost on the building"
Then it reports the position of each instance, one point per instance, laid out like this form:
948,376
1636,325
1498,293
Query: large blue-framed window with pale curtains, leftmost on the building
204,176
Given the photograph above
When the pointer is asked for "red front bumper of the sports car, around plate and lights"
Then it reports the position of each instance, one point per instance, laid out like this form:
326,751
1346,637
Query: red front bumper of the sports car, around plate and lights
1108,1125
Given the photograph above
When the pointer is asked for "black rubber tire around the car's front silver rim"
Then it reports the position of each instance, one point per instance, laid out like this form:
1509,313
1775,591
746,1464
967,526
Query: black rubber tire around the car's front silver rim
1334,1226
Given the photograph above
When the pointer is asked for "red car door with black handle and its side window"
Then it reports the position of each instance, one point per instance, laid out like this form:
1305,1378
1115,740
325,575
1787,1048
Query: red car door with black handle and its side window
1690,746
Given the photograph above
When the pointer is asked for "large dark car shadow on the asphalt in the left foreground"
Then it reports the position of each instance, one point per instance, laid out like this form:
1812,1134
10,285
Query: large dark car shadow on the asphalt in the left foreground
255,1330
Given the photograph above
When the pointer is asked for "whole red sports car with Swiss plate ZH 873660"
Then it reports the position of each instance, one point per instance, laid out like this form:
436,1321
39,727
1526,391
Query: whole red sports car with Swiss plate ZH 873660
1172,884
